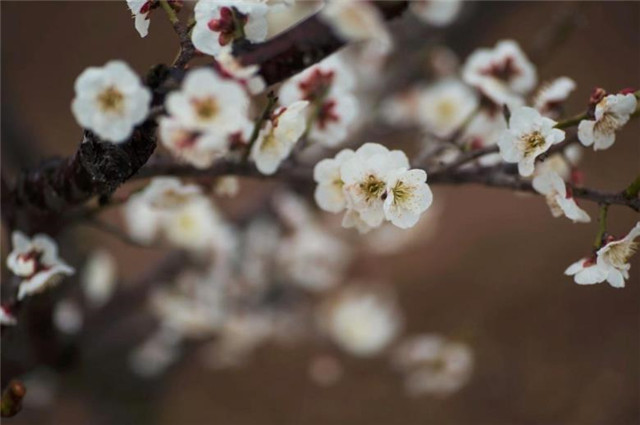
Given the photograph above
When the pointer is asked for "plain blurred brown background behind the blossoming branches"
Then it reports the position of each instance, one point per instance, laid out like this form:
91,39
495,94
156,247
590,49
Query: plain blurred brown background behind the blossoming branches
547,351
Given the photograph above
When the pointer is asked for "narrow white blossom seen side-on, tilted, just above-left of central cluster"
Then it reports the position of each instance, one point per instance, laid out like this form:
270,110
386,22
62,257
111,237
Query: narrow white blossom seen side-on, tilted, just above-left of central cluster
278,137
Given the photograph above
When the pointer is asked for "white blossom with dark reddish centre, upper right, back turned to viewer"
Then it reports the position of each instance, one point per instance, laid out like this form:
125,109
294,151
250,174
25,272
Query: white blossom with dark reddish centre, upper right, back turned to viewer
503,73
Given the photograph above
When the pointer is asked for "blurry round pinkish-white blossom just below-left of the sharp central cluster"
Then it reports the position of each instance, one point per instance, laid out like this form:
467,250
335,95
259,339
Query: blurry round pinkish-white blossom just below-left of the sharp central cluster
313,259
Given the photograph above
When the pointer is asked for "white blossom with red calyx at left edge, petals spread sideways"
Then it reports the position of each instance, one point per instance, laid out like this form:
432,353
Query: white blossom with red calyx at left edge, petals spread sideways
36,261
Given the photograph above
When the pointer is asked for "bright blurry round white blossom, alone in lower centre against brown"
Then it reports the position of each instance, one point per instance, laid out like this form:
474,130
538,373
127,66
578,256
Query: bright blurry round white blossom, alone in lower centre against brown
363,321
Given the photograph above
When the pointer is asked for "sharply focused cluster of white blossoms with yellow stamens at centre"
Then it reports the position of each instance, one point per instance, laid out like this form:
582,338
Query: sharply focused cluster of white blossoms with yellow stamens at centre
373,184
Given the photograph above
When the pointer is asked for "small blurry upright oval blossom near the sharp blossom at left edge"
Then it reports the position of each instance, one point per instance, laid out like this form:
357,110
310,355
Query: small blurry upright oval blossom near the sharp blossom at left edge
99,277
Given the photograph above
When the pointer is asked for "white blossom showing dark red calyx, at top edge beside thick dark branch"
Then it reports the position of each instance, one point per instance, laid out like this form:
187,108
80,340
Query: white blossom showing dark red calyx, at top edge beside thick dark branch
218,23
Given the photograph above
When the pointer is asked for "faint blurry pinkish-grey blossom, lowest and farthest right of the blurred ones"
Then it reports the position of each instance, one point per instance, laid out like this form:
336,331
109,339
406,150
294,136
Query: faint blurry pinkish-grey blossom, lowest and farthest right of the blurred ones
433,365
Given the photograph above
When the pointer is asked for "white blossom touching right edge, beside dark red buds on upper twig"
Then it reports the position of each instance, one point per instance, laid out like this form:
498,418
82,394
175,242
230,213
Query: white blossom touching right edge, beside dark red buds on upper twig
611,113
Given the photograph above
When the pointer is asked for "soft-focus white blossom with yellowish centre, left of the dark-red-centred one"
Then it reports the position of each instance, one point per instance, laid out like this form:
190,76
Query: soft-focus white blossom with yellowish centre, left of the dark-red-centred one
445,106
